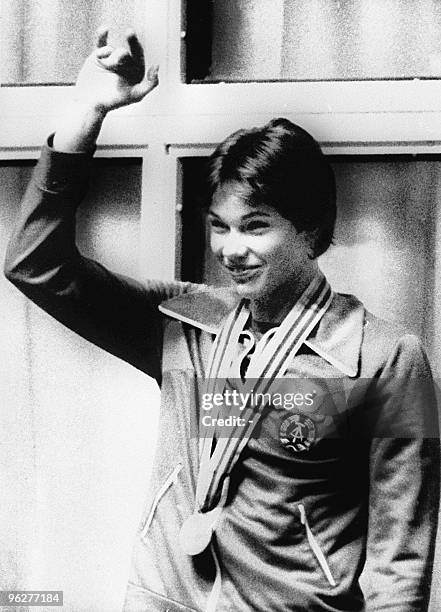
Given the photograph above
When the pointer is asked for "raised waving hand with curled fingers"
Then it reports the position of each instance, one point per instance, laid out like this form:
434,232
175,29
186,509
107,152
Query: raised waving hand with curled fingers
114,77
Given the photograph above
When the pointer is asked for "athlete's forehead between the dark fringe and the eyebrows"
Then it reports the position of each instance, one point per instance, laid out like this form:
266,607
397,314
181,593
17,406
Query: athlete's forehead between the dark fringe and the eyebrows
234,198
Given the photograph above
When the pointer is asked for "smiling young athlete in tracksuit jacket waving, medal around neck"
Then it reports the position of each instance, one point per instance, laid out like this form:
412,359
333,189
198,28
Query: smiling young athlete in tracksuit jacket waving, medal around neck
255,504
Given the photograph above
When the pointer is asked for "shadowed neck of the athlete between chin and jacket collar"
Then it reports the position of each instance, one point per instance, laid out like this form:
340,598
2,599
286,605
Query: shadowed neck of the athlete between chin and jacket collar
275,306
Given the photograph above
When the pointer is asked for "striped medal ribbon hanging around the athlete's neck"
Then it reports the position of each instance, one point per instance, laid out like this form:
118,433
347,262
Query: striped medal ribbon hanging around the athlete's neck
272,356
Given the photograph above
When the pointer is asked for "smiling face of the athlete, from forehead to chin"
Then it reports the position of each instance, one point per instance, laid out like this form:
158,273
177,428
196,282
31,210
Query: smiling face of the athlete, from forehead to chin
261,251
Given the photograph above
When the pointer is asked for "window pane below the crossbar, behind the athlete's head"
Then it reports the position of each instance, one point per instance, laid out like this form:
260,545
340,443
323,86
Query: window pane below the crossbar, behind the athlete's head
384,240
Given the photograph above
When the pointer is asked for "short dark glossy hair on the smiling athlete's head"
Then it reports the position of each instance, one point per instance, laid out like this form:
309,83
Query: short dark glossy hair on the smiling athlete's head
285,168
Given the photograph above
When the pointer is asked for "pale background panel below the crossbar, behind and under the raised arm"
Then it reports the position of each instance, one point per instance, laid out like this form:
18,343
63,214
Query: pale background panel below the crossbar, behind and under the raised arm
77,425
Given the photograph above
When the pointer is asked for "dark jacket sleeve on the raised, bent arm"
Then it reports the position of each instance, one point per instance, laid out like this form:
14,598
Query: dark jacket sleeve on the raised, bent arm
116,313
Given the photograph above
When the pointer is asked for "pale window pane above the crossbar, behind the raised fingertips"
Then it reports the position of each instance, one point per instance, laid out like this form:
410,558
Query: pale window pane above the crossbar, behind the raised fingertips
46,41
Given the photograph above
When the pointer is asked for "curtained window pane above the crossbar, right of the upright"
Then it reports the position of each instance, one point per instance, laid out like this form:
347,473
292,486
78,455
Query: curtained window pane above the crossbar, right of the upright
322,39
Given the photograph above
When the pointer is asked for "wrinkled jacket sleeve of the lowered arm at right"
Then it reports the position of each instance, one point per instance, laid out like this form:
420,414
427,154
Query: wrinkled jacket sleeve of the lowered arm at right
402,420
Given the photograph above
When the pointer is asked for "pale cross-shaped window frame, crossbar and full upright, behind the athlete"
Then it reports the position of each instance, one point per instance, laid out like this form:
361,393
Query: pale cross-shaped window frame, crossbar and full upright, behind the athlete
179,119
